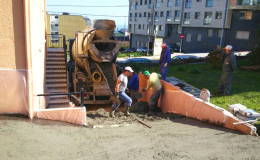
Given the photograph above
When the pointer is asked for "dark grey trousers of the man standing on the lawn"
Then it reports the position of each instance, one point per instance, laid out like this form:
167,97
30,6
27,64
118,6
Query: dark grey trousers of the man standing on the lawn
225,83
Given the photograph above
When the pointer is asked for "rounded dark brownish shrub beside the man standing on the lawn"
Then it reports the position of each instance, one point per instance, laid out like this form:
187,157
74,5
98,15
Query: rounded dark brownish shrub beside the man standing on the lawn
215,59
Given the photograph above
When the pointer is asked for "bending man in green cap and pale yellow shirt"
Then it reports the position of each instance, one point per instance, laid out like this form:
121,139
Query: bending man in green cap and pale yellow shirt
155,84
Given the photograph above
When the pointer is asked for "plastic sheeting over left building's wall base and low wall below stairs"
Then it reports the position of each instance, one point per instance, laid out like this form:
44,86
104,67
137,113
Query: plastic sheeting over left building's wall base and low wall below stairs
14,100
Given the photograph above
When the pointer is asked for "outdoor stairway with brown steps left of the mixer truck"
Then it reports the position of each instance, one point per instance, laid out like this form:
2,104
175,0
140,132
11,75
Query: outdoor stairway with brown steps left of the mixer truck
56,78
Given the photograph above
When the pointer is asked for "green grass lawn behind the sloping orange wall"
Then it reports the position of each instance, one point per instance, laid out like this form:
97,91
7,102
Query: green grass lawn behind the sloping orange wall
245,84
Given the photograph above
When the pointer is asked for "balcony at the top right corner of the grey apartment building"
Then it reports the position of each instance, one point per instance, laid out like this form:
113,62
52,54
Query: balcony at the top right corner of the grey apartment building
245,4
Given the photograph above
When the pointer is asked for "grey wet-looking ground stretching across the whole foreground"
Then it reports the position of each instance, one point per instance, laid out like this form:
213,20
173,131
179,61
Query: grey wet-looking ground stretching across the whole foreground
171,136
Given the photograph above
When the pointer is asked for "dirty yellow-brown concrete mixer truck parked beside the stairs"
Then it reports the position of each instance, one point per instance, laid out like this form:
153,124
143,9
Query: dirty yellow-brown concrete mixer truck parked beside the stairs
95,51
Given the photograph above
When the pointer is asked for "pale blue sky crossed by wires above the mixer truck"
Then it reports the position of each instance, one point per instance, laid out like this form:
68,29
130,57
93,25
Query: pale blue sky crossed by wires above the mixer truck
78,7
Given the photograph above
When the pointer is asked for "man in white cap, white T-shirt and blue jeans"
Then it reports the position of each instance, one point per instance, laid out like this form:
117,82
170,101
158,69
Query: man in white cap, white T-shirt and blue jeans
120,88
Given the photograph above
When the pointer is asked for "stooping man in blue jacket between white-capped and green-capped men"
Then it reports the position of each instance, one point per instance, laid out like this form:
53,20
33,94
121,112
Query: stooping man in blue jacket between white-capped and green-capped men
133,86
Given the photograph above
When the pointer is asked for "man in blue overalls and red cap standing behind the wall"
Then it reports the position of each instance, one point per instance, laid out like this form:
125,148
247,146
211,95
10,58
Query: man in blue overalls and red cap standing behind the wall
165,59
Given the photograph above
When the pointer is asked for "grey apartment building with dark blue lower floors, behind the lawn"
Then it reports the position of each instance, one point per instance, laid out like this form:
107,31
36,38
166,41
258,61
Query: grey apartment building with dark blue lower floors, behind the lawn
200,21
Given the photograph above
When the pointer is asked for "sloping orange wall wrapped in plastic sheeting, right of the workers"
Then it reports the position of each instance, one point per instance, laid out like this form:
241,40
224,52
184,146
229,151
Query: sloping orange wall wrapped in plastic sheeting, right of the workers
174,100
